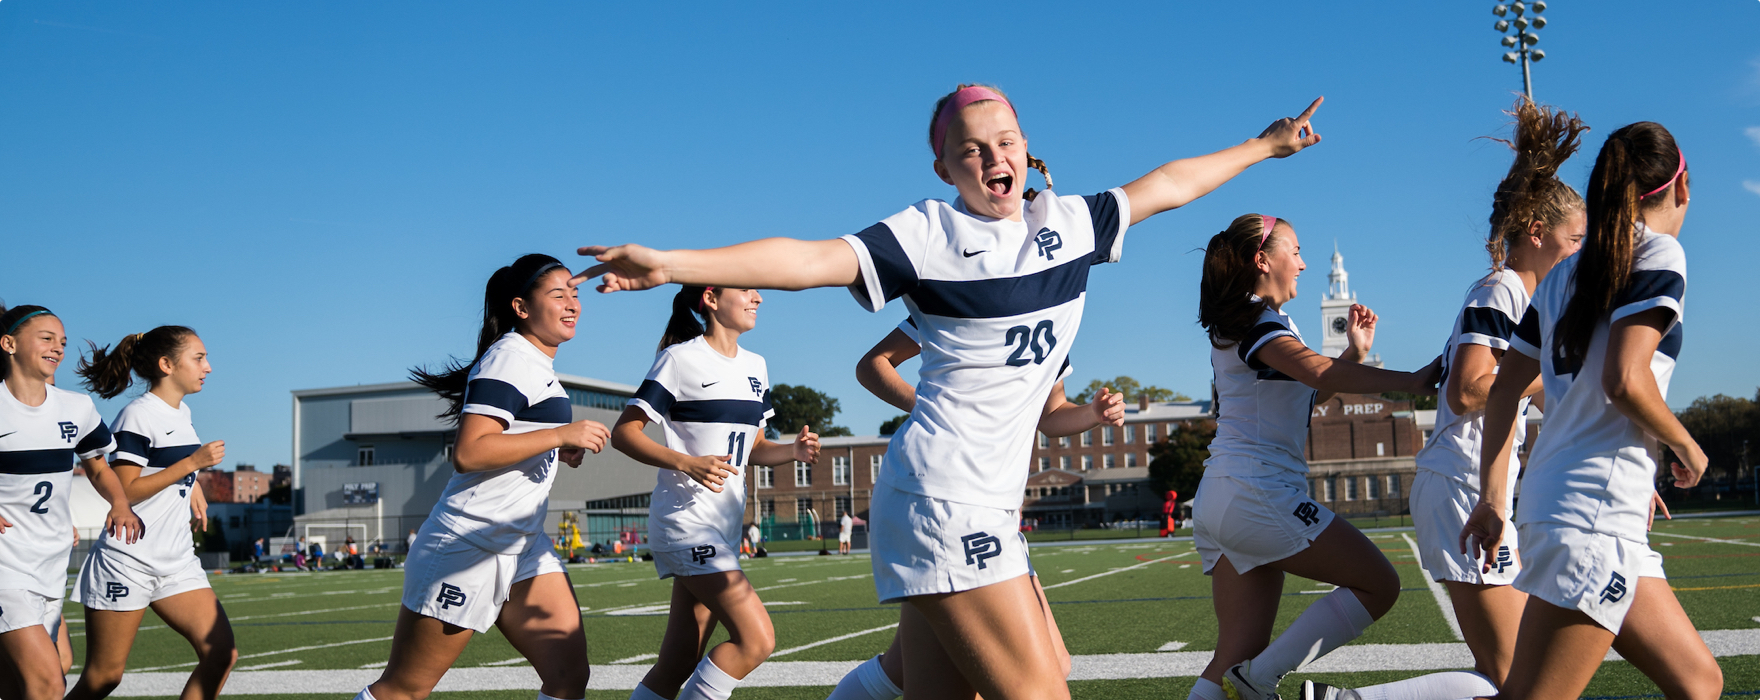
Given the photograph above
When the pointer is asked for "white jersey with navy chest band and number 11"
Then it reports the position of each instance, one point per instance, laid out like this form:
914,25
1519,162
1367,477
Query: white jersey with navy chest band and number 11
708,405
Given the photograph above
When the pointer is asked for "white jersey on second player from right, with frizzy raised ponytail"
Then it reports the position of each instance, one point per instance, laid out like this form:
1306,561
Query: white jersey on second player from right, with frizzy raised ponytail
1488,317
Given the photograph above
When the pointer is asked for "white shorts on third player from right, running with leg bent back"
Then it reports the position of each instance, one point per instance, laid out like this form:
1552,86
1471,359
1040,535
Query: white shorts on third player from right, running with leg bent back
1256,520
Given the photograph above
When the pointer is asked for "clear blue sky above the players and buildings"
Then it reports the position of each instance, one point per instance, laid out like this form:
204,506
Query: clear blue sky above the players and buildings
321,189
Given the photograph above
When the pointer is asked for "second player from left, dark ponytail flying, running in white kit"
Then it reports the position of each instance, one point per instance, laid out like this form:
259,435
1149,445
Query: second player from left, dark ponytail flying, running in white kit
158,458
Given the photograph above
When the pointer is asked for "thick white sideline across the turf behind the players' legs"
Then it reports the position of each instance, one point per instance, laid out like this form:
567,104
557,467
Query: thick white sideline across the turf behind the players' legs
1089,667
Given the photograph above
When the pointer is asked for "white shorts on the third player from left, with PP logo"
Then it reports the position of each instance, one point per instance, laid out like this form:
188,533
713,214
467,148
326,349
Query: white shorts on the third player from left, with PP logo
464,585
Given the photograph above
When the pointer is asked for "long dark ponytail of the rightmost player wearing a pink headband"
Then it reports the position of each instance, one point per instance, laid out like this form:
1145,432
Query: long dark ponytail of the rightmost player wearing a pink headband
1634,161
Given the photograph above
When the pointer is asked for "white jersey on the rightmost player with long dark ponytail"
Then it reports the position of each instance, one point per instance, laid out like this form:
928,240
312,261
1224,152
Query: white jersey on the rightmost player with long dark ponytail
1590,469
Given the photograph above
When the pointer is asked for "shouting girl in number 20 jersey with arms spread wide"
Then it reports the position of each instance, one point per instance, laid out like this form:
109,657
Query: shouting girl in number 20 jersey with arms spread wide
995,282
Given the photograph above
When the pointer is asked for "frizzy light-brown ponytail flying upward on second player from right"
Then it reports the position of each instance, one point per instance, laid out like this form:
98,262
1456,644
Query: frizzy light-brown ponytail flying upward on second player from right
1532,191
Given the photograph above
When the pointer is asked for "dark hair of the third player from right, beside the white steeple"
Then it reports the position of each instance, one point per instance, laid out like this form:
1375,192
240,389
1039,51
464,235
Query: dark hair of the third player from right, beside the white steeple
1226,293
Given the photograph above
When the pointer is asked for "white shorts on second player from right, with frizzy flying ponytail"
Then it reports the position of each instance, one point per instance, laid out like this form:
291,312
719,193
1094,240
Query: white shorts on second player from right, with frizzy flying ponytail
1441,507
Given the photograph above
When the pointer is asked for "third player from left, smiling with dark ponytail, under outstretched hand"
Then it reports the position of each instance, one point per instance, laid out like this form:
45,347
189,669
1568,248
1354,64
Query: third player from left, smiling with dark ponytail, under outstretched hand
483,557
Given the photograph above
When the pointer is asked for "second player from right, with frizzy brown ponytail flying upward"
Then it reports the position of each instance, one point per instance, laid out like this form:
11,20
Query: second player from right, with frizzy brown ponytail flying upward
1536,222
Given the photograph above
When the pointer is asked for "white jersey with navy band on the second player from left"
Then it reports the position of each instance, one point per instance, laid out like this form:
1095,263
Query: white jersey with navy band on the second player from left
152,435
